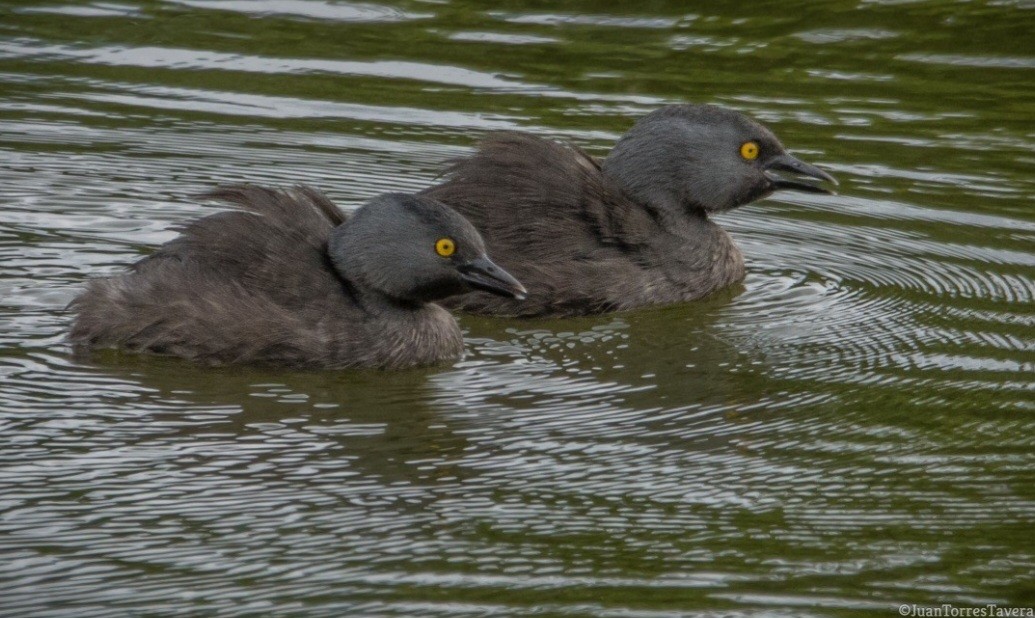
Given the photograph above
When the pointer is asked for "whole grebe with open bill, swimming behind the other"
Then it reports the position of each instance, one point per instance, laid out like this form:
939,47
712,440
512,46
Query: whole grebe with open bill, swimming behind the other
592,238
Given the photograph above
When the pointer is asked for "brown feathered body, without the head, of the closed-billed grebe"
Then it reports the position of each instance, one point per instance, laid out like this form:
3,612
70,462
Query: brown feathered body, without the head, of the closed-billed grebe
256,286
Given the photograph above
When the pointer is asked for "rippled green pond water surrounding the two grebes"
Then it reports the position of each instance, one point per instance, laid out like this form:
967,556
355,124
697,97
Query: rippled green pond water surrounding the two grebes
850,430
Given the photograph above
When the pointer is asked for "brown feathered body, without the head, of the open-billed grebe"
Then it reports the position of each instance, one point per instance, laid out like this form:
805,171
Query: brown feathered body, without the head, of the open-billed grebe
550,215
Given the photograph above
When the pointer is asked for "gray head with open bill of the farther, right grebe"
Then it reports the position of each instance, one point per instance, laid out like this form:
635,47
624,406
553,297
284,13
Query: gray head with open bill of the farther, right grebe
704,159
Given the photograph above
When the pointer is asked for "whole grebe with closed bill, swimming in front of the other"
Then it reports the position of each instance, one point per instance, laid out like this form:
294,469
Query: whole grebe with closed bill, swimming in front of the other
289,280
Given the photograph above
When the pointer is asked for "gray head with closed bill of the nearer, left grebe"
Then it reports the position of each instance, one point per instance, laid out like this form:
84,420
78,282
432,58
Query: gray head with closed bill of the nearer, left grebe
416,250
